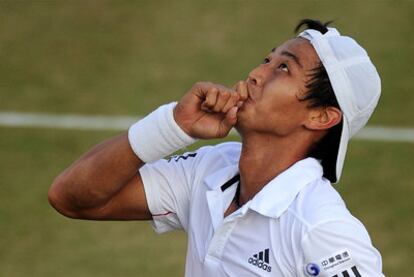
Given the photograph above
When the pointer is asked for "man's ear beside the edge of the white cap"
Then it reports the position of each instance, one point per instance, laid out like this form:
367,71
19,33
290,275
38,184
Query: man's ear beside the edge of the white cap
323,118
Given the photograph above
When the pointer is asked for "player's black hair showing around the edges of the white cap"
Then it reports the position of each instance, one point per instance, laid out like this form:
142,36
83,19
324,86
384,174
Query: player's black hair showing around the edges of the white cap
321,94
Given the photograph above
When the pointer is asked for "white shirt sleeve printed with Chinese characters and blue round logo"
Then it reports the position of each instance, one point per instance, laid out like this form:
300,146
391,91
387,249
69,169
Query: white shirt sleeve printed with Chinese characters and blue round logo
340,248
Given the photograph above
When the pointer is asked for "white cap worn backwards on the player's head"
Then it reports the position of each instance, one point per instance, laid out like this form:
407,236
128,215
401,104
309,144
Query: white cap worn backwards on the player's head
354,79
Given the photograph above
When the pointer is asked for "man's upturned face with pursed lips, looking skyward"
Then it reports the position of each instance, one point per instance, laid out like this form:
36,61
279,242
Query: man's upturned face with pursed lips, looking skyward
275,89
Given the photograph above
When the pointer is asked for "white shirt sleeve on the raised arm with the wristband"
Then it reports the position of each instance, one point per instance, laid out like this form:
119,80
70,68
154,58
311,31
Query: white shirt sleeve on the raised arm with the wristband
168,184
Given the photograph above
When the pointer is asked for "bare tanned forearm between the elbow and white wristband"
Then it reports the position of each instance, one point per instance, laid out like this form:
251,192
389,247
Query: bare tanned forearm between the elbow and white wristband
97,176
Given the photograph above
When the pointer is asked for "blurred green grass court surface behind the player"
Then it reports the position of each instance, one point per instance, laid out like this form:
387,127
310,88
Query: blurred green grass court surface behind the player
127,58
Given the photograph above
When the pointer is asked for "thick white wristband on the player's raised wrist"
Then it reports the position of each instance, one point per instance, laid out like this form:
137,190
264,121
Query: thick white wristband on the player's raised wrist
158,135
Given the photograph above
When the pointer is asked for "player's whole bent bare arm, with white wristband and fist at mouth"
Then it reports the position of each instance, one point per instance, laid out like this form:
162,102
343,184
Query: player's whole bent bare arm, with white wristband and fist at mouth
105,184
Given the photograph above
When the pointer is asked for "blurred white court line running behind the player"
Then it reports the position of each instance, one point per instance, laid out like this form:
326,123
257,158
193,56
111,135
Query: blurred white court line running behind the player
101,122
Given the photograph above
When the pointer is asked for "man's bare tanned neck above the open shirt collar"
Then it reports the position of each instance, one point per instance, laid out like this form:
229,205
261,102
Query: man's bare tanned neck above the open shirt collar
265,157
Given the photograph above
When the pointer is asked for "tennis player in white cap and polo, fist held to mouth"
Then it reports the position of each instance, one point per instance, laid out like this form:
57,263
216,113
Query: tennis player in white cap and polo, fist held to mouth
262,207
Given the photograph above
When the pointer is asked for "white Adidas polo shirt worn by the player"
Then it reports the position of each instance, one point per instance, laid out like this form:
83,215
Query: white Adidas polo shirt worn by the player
297,225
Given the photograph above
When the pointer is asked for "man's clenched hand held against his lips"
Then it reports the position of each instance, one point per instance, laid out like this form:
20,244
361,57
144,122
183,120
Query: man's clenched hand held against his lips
209,110
